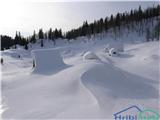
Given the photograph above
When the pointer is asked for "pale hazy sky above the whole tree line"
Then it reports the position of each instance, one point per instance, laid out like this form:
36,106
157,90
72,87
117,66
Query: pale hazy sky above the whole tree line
29,16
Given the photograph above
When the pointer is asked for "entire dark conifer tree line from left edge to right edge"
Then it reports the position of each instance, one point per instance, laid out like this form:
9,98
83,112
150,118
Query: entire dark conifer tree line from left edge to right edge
117,22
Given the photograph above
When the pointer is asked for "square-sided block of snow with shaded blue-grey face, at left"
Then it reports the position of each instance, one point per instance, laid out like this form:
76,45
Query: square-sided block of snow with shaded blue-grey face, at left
47,60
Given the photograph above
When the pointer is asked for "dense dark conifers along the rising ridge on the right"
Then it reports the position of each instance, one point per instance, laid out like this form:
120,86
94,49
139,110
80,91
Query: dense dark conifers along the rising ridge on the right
134,17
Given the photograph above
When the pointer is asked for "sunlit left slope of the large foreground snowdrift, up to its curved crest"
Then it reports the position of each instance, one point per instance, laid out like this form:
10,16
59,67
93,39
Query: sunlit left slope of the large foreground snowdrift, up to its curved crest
60,95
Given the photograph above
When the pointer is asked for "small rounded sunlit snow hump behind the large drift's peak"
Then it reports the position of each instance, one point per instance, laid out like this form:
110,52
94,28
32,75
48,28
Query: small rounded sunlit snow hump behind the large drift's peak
90,56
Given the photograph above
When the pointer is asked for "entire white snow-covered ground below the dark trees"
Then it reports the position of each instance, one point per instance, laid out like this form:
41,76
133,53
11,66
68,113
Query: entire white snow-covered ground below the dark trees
63,85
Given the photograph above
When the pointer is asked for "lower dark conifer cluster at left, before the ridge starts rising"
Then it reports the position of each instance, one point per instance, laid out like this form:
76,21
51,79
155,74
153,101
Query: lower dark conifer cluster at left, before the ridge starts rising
7,42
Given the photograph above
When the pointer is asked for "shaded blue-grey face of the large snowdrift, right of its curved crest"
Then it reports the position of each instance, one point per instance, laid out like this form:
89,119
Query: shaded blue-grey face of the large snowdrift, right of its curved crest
116,83
